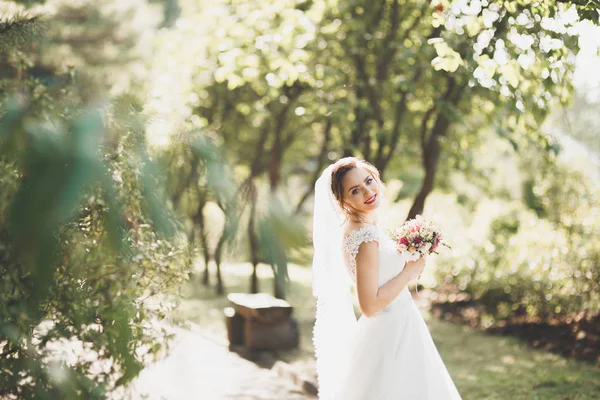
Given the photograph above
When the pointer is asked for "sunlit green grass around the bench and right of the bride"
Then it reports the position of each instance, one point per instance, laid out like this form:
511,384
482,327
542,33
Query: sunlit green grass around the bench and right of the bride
484,367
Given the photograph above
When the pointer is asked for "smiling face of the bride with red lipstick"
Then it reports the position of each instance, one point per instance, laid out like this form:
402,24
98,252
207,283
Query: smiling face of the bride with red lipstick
361,190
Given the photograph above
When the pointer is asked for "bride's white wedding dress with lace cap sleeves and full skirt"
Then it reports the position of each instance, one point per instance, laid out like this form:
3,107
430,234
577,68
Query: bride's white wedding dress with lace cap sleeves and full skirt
392,355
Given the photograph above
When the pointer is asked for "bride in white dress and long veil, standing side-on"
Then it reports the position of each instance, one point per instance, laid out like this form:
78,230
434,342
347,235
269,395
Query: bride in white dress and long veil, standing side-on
388,354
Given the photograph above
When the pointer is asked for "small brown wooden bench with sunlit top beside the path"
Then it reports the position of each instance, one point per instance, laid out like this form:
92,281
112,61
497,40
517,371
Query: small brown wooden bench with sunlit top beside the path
260,322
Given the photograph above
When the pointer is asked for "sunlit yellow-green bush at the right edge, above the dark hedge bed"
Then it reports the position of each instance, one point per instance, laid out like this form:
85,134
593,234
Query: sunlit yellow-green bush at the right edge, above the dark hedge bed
545,263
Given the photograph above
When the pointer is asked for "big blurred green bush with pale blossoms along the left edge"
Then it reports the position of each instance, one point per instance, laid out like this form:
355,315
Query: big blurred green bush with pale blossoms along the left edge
84,265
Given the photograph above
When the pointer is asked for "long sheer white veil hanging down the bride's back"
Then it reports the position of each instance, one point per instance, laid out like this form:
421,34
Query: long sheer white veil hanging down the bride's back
335,320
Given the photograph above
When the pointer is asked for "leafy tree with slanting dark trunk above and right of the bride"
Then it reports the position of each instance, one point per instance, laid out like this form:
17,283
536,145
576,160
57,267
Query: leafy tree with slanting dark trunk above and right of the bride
427,76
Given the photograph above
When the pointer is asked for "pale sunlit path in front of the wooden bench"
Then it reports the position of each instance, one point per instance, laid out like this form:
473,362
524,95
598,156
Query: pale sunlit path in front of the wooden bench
204,369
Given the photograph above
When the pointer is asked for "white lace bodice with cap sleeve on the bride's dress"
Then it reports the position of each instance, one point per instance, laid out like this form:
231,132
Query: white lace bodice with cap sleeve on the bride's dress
390,261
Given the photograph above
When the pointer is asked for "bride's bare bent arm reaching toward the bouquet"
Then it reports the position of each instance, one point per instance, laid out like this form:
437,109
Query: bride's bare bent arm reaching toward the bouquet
372,298
